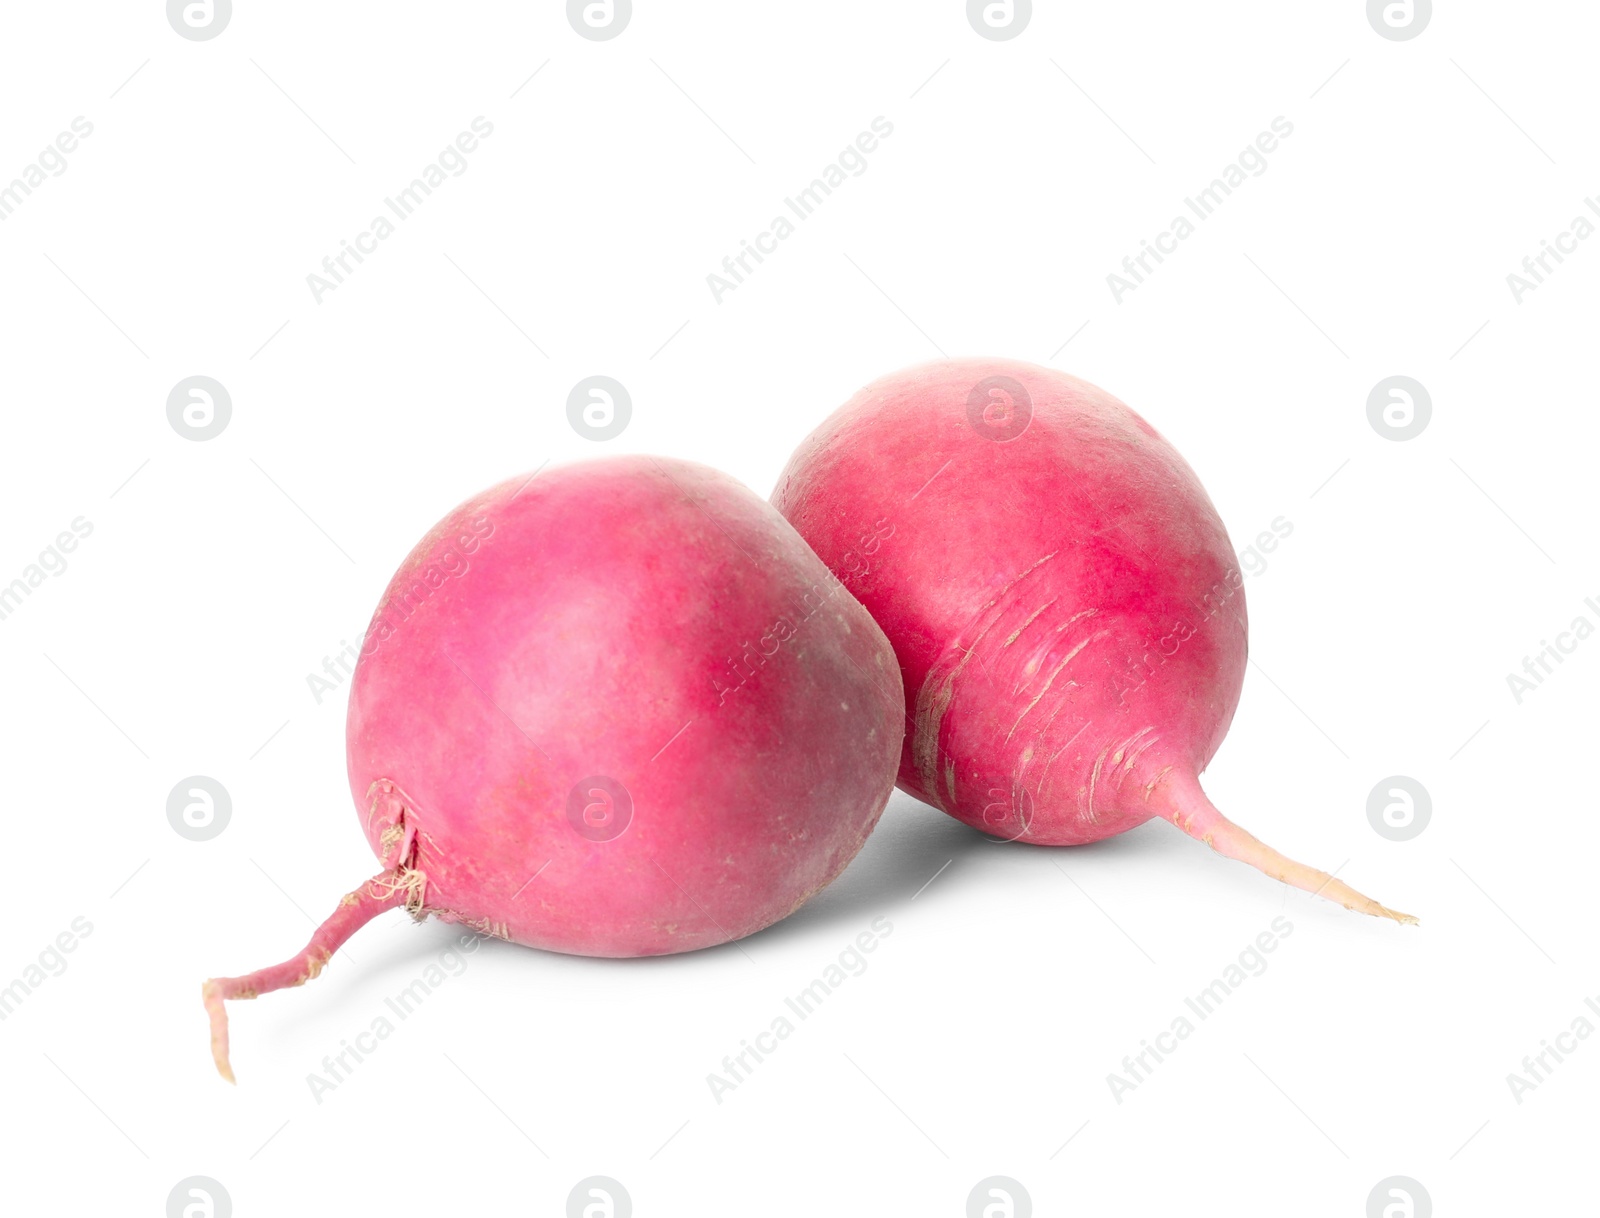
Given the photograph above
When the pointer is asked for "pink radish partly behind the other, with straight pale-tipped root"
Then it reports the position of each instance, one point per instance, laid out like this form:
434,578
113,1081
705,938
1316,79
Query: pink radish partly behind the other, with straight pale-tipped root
1063,599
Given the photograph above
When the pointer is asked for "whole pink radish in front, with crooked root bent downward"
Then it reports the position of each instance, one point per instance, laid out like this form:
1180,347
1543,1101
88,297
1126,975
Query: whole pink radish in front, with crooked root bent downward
614,710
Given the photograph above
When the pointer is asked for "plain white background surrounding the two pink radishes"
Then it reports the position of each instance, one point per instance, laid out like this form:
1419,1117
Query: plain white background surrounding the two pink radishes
978,1043
